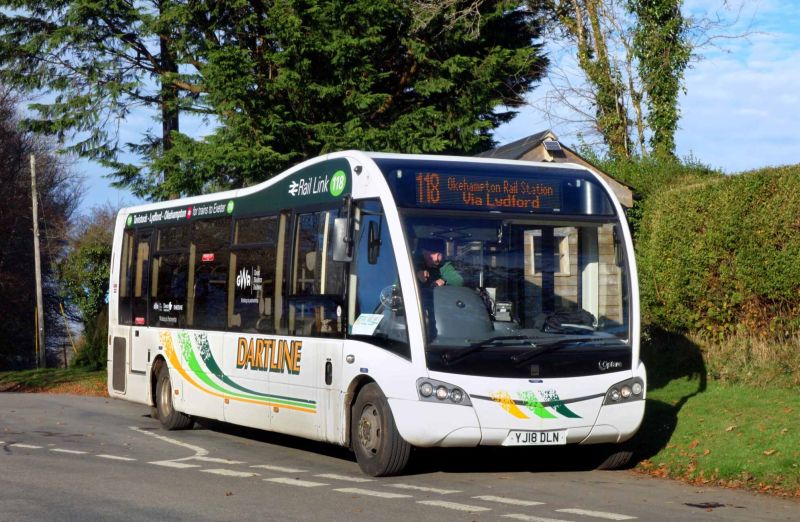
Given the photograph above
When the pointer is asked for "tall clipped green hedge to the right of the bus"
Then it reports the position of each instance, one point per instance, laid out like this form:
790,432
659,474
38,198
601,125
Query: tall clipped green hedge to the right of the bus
722,255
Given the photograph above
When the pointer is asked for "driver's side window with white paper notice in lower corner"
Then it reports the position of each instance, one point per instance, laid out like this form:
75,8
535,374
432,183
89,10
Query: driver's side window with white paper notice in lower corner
379,312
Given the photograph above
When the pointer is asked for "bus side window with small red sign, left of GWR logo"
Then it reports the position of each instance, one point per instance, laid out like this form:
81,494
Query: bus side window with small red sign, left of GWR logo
210,249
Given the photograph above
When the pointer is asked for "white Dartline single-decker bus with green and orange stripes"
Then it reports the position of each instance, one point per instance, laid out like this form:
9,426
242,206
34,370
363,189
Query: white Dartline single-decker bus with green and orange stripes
301,305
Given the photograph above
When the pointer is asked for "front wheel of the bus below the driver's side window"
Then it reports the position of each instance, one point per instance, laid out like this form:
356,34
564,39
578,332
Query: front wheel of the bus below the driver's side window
379,448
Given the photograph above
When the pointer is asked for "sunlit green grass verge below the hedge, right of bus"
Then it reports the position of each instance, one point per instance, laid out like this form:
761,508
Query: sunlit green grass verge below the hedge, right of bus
728,435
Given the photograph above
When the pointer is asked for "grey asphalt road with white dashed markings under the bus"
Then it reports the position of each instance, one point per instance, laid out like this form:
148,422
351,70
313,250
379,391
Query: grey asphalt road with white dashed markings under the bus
70,458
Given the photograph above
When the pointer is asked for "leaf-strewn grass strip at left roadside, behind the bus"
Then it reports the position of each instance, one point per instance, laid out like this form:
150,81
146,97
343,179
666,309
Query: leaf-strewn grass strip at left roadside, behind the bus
55,380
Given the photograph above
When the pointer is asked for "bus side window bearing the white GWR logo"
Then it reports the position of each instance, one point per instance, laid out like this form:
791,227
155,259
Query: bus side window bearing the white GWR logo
253,262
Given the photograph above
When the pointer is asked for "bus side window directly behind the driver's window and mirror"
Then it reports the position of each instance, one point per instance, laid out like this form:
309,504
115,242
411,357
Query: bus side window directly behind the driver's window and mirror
317,283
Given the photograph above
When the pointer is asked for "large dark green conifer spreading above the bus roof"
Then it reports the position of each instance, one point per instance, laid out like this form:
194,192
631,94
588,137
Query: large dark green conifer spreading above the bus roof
283,80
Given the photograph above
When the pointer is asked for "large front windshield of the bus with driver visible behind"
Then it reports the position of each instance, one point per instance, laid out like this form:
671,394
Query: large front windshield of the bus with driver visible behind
497,292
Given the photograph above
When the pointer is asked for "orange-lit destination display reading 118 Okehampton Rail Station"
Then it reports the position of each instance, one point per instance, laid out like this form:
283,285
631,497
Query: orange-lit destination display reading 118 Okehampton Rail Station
479,192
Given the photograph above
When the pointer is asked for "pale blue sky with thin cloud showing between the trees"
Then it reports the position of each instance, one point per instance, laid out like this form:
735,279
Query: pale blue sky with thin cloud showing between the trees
741,109
